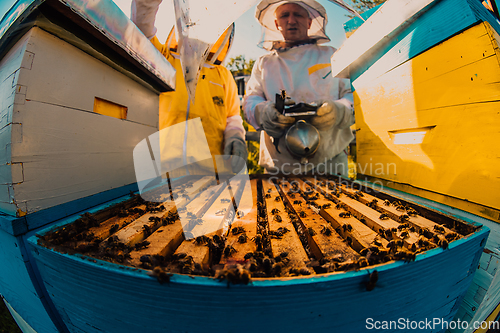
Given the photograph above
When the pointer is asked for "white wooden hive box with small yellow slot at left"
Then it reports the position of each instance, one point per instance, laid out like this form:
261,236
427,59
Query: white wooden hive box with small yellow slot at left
54,146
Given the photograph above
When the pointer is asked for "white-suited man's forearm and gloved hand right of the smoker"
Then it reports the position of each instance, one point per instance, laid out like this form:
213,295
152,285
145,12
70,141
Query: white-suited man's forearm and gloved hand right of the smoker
338,113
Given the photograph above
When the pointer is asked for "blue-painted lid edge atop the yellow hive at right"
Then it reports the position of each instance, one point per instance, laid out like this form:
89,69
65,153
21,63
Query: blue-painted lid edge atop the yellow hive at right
443,20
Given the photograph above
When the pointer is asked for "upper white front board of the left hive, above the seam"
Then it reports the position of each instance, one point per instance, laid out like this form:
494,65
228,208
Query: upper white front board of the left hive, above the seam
64,75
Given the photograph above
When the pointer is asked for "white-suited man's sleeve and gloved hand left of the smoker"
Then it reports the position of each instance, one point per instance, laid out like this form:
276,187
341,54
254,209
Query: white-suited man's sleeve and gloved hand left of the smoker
259,112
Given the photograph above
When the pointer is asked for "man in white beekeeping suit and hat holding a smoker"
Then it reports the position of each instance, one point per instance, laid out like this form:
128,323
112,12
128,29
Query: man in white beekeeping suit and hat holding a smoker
298,64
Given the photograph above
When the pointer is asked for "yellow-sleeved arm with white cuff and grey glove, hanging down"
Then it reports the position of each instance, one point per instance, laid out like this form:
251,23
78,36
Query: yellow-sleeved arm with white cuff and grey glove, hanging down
234,134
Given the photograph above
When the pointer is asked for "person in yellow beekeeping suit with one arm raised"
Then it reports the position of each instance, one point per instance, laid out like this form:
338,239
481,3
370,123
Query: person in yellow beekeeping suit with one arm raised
216,102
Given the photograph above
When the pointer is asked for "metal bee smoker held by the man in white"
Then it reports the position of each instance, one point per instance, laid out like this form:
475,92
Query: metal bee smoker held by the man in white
302,139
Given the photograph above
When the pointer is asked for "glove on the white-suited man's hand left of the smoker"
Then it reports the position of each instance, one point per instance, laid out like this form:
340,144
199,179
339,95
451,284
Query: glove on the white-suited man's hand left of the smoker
271,120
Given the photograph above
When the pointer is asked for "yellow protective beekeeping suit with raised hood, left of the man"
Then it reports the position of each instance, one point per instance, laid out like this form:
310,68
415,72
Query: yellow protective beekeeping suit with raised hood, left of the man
216,94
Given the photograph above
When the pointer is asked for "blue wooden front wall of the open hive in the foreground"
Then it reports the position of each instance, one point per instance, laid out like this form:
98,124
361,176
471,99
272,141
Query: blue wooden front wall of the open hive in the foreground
95,296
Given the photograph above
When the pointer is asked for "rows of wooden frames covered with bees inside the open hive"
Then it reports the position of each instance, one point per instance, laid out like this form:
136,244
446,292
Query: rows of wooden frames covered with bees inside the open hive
296,226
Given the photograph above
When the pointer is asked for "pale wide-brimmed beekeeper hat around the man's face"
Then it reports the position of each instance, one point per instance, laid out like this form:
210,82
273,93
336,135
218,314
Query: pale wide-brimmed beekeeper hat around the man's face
265,14
